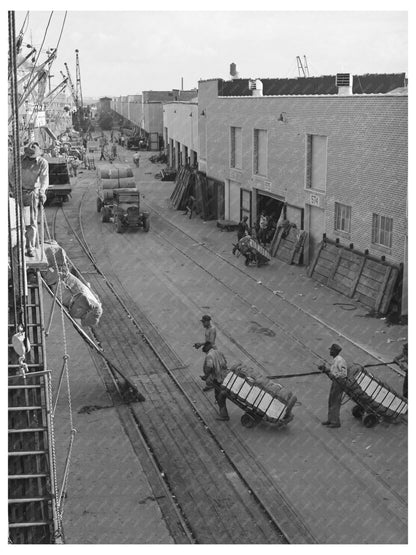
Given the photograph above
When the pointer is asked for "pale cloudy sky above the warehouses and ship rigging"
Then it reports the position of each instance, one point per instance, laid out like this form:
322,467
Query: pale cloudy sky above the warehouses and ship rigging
126,52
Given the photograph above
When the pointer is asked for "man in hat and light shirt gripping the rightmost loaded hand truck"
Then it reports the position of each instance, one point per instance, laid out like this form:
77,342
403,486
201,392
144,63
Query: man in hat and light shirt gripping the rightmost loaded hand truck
337,373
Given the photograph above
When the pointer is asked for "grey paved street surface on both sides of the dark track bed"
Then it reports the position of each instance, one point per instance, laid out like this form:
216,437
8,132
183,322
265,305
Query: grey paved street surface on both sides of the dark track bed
349,485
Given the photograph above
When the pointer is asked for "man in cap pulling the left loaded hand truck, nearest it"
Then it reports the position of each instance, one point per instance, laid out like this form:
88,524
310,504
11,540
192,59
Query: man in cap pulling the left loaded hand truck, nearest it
215,370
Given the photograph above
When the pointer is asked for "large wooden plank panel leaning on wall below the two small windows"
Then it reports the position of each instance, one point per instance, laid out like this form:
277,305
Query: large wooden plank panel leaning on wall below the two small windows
355,274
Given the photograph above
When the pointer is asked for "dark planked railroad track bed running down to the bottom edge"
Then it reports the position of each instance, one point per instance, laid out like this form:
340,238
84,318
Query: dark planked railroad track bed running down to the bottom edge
213,491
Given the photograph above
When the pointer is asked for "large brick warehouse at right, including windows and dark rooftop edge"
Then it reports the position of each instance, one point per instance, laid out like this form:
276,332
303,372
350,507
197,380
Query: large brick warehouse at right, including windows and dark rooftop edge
338,161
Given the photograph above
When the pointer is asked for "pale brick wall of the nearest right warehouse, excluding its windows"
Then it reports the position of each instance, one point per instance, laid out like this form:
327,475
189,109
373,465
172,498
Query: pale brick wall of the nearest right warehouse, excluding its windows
367,153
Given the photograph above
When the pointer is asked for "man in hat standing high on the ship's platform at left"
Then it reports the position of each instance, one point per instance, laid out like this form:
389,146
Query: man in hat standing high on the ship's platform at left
35,181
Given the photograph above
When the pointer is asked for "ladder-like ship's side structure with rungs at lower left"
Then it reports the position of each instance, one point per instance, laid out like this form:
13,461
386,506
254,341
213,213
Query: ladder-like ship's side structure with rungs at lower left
31,468
